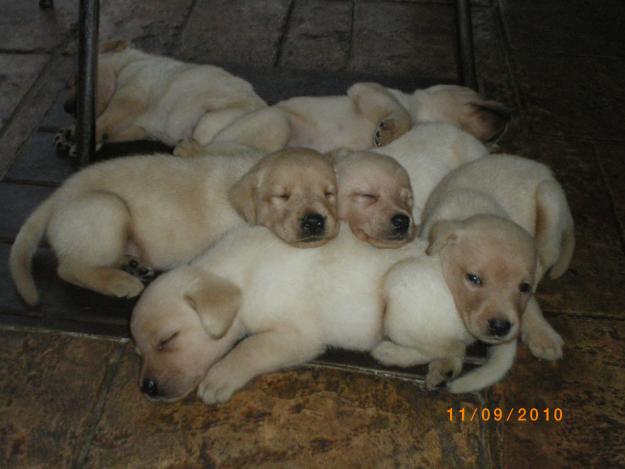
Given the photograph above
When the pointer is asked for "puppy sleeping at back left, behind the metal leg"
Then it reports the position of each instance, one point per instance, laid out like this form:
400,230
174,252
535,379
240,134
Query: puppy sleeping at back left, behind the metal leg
144,96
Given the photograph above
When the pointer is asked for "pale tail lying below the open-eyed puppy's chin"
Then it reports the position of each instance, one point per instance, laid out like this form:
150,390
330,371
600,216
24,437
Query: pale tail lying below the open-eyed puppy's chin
500,359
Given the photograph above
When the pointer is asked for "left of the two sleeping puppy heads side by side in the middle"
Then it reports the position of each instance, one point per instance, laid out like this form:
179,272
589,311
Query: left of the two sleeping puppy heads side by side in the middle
293,193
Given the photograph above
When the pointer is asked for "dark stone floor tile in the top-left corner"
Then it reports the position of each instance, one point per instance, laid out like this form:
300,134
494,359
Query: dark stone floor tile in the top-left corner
26,27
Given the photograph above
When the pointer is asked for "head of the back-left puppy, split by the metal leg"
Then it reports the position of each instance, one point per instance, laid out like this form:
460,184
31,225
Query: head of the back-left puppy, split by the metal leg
106,78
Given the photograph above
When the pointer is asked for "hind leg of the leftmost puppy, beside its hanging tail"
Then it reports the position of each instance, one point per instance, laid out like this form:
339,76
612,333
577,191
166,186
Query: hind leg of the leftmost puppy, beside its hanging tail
89,237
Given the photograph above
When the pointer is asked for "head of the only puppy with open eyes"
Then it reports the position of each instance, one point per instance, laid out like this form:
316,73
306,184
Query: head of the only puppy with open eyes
490,265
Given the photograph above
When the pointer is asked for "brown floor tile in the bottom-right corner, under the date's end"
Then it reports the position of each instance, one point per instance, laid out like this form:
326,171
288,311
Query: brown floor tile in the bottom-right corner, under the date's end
588,384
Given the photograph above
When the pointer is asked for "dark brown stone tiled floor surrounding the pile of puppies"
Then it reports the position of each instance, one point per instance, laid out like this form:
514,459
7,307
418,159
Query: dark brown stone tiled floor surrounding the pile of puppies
71,400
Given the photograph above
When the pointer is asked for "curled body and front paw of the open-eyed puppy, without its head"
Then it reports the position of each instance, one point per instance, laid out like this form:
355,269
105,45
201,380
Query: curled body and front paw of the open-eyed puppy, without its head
526,193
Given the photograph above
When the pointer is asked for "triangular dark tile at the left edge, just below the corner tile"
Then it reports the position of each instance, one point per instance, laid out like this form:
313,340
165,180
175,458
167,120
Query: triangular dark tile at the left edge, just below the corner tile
18,73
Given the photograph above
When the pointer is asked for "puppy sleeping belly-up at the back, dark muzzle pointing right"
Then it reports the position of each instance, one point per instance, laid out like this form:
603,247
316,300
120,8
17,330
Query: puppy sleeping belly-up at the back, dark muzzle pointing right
371,115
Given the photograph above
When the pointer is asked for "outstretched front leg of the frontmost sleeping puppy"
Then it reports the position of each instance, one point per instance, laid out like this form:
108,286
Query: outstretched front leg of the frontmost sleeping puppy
257,354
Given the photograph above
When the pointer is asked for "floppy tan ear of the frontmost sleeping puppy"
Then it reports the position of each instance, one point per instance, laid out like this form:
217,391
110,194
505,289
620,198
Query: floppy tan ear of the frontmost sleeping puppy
215,300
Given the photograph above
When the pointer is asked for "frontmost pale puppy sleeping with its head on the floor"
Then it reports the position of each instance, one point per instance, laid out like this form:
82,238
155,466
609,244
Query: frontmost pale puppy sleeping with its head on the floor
289,304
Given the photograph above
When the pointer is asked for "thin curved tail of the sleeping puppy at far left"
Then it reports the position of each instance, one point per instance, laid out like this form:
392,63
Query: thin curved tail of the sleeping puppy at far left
23,250
